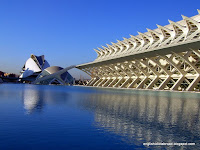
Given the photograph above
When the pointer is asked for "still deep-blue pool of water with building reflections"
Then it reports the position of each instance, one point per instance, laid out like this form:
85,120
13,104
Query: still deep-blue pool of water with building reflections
65,117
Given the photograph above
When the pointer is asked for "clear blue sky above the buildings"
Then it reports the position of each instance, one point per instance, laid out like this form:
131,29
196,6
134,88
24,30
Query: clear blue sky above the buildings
67,31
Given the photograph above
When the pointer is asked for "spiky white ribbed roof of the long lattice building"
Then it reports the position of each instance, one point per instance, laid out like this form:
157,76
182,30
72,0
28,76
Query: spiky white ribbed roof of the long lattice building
174,33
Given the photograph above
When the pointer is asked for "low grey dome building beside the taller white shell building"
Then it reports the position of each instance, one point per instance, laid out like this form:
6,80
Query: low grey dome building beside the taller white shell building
54,75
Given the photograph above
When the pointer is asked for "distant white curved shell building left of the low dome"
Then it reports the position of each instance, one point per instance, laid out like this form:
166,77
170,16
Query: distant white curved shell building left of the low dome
33,66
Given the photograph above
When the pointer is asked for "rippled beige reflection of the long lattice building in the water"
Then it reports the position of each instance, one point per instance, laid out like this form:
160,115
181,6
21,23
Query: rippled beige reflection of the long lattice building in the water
148,116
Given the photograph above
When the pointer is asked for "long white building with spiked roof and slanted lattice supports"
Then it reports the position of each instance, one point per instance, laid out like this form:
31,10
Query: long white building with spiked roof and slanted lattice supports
165,58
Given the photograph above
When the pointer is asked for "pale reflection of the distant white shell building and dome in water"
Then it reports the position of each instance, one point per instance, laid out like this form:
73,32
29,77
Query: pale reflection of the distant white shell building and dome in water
36,97
